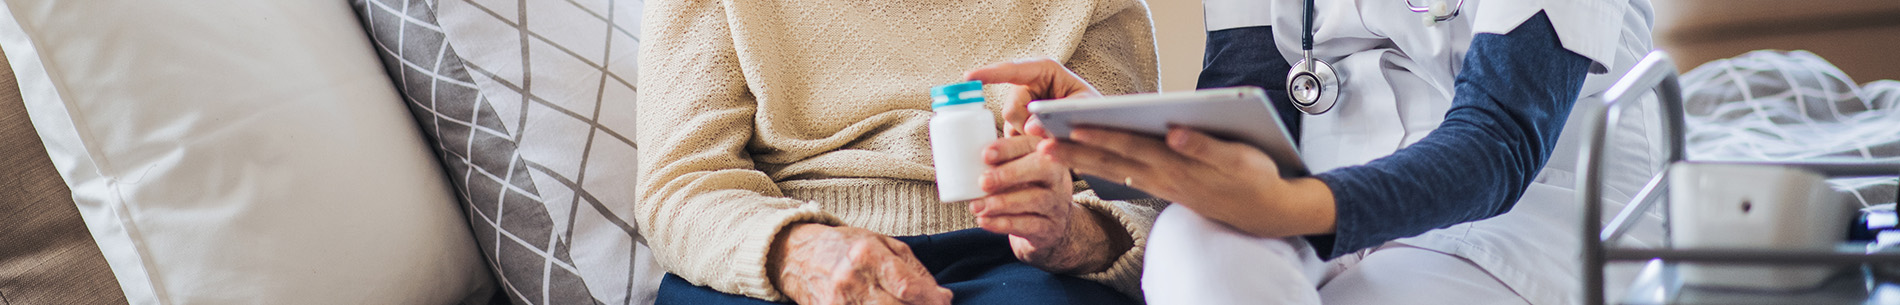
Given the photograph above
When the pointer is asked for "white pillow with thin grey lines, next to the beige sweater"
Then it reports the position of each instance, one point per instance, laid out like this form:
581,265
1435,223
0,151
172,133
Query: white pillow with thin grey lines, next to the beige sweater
563,77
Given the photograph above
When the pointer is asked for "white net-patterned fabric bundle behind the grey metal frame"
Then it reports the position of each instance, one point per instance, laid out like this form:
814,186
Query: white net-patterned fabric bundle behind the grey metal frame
1795,107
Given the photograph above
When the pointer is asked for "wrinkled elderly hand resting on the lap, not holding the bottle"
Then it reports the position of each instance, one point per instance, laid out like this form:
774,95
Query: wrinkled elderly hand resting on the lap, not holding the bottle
848,266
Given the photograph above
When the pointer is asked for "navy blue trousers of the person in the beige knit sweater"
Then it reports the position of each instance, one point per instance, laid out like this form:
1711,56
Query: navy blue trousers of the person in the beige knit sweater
978,266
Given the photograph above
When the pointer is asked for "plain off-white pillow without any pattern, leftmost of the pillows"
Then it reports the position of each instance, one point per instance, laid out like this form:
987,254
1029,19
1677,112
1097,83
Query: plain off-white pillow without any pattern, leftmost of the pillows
240,152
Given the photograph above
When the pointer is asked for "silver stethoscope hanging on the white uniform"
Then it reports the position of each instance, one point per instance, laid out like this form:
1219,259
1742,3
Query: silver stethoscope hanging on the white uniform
1314,86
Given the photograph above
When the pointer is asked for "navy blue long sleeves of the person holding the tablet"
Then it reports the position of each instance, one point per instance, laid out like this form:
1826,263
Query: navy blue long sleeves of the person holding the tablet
1510,107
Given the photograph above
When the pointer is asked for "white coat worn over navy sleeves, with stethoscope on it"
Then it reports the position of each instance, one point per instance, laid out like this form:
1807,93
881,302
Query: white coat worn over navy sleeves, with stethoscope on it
1399,82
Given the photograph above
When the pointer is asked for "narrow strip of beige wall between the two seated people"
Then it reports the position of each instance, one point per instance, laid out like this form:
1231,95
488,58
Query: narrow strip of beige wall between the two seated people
1179,37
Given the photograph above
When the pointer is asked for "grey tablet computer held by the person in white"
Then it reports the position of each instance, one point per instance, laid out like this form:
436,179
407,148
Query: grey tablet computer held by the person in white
1238,115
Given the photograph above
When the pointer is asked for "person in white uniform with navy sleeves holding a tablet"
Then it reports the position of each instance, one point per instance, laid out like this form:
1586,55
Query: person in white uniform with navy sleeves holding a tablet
1441,171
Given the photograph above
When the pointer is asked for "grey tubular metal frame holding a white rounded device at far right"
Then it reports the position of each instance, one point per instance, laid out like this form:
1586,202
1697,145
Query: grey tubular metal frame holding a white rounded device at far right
1726,224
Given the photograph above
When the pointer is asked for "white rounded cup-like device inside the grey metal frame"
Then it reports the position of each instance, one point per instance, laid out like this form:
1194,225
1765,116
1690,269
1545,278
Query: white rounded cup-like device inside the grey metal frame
1739,207
